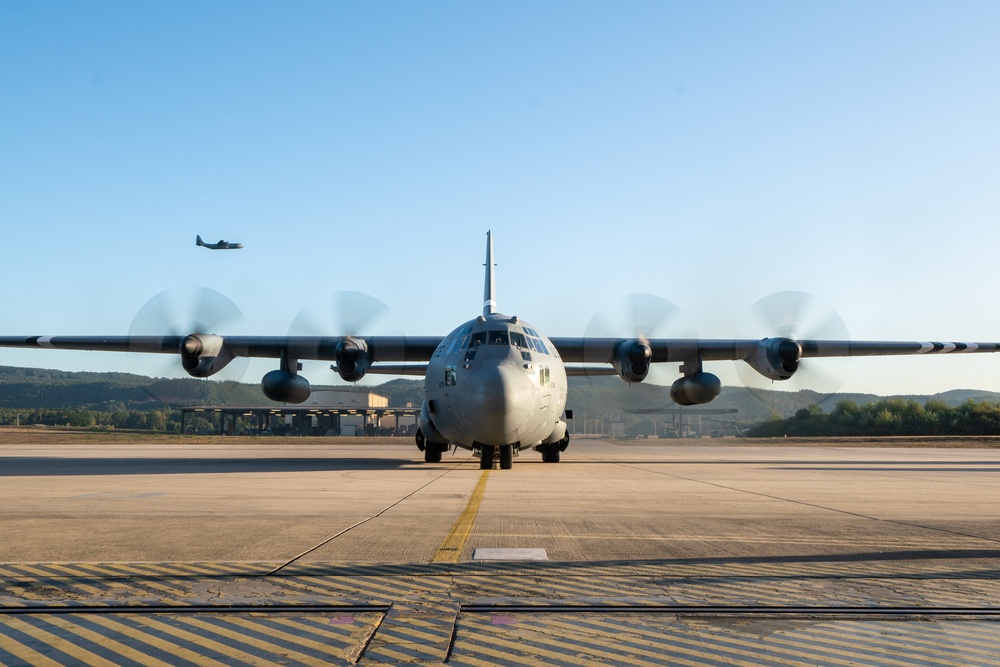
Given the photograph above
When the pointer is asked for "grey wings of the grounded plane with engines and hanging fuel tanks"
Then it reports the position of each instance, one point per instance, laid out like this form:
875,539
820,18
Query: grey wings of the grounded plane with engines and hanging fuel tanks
203,355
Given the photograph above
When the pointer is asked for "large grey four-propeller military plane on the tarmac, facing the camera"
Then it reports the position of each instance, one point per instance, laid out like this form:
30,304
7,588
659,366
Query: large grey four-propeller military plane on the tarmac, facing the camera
495,385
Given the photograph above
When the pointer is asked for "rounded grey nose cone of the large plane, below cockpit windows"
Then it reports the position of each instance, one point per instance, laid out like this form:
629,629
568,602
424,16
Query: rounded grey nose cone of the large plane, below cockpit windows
498,403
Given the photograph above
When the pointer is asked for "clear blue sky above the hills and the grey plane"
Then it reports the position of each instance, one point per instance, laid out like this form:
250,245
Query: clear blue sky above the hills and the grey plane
709,153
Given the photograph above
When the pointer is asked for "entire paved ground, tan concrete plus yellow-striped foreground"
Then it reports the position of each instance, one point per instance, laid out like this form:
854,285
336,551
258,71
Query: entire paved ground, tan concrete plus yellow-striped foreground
646,552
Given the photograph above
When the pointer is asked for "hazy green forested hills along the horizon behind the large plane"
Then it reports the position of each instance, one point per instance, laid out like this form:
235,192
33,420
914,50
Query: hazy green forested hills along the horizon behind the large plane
39,388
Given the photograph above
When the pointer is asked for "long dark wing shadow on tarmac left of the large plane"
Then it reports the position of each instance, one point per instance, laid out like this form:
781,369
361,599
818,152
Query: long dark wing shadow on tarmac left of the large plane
42,466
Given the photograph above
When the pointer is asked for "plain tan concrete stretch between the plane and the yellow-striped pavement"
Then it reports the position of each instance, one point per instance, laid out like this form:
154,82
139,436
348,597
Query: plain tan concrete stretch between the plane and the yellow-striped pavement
653,499
